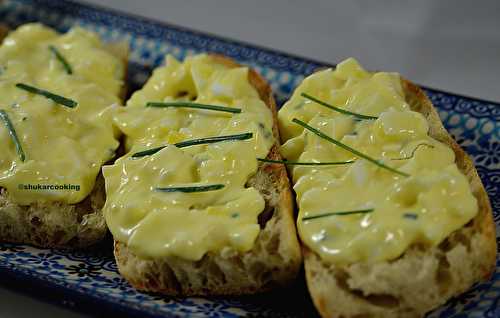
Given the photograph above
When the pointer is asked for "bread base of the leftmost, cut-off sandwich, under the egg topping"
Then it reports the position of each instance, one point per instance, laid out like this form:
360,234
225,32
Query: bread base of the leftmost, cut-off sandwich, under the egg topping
58,224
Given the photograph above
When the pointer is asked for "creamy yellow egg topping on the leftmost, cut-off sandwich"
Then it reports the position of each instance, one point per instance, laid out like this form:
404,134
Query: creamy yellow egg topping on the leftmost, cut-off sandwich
63,146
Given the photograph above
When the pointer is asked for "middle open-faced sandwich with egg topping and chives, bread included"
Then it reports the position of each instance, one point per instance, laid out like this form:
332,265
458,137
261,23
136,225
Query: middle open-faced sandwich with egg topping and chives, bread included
192,209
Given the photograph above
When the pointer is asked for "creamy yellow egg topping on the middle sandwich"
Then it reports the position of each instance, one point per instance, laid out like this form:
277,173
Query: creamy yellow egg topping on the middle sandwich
188,225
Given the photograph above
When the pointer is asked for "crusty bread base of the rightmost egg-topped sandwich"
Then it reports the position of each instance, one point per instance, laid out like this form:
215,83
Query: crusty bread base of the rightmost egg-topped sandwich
422,278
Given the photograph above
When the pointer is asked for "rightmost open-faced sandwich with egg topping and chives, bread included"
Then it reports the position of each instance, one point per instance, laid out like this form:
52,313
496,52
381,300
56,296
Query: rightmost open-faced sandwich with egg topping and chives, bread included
393,217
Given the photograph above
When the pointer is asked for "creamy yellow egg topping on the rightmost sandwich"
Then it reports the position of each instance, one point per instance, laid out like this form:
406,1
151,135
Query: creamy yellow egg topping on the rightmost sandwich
424,208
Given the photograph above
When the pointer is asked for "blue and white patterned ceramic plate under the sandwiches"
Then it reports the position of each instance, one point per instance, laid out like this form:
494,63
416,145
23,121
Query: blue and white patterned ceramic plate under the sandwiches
88,280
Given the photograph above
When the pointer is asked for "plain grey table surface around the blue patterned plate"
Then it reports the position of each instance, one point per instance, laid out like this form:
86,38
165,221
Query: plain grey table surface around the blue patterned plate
450,45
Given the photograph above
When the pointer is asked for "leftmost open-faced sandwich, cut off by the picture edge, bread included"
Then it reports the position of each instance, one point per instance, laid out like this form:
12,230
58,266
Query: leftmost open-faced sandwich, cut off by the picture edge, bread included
56,132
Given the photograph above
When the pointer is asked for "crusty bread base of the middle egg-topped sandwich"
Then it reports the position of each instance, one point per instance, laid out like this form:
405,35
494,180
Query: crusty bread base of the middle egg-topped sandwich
274,260
